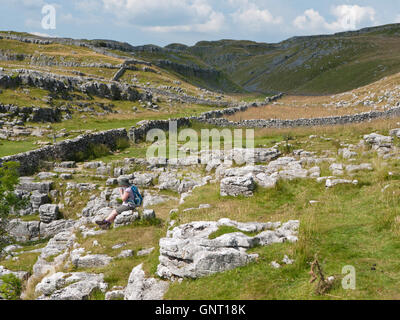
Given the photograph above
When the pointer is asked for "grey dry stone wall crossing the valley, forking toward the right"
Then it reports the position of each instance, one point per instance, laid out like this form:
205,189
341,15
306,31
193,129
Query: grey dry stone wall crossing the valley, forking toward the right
30,161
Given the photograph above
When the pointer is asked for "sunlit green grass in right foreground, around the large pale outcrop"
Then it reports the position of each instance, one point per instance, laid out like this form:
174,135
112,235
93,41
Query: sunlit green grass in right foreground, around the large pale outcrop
349,227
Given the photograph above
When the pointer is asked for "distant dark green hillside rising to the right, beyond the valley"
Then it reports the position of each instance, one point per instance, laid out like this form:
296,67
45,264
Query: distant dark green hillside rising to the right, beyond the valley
301,65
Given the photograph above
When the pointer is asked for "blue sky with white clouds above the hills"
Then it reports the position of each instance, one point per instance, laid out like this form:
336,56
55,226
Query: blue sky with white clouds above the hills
162,22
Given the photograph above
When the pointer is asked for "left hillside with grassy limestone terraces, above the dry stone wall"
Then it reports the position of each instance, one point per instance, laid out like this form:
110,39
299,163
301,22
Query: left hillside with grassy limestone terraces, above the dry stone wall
76,86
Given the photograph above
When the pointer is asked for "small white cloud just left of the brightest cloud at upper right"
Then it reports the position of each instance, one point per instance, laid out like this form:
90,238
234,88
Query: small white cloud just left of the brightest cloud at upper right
252,18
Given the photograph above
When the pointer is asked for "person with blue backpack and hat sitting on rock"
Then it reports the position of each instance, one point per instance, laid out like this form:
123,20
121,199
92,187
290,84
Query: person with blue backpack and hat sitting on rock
131,199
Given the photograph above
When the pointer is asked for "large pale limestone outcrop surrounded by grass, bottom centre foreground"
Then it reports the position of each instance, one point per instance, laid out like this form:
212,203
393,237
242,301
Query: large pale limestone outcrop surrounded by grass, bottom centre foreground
187,251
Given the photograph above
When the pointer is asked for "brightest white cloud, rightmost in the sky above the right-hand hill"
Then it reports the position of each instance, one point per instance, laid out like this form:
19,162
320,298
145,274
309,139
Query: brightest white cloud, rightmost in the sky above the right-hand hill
348,17
